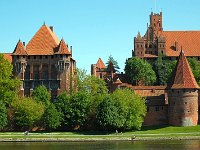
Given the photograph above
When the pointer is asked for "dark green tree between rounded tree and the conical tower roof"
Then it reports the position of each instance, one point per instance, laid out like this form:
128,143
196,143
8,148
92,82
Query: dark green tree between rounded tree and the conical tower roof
163,69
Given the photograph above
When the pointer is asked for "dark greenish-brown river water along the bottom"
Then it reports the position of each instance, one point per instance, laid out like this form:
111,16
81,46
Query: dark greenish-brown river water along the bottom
119,145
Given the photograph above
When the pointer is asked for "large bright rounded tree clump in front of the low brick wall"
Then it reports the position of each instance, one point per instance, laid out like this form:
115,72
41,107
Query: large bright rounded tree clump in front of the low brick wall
122,110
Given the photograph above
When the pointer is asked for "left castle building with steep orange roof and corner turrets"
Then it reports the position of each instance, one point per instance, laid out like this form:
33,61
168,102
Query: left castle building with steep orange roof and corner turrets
45,60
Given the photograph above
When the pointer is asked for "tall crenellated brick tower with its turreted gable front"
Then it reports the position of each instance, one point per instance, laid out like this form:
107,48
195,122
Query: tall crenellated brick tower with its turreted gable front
152,43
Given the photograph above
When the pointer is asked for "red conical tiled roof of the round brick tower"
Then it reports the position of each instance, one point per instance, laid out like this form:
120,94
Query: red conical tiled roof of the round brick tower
183,77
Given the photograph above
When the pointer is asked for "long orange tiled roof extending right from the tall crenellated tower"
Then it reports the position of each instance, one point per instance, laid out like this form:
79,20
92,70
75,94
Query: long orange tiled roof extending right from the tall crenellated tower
188,40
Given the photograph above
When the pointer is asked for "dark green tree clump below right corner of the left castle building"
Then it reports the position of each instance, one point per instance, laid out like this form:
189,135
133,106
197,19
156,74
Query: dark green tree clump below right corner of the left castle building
74,109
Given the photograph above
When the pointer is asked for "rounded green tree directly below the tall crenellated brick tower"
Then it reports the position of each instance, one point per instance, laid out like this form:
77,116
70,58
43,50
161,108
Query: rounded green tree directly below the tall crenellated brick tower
139,71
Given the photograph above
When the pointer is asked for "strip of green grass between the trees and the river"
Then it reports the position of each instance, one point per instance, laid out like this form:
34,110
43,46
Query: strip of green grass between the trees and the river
155,132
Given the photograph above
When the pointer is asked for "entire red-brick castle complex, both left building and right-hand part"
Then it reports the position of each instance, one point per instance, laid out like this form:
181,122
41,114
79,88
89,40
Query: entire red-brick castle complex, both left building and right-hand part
48,61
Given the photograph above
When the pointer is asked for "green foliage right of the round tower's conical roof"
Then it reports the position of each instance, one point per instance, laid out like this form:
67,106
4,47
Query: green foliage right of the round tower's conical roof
195,66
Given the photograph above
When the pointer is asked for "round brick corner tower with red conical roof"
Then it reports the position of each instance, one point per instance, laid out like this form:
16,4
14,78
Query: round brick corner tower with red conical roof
183,95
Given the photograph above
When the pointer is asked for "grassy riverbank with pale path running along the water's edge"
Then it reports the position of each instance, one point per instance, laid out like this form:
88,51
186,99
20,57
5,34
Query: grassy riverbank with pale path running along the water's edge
147,133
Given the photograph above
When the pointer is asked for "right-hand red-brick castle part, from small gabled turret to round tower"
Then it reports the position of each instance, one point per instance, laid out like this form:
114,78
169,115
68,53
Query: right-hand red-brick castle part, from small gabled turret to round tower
178,102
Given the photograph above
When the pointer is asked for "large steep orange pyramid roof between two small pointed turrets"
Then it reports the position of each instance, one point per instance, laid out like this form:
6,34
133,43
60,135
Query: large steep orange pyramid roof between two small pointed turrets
43,42
